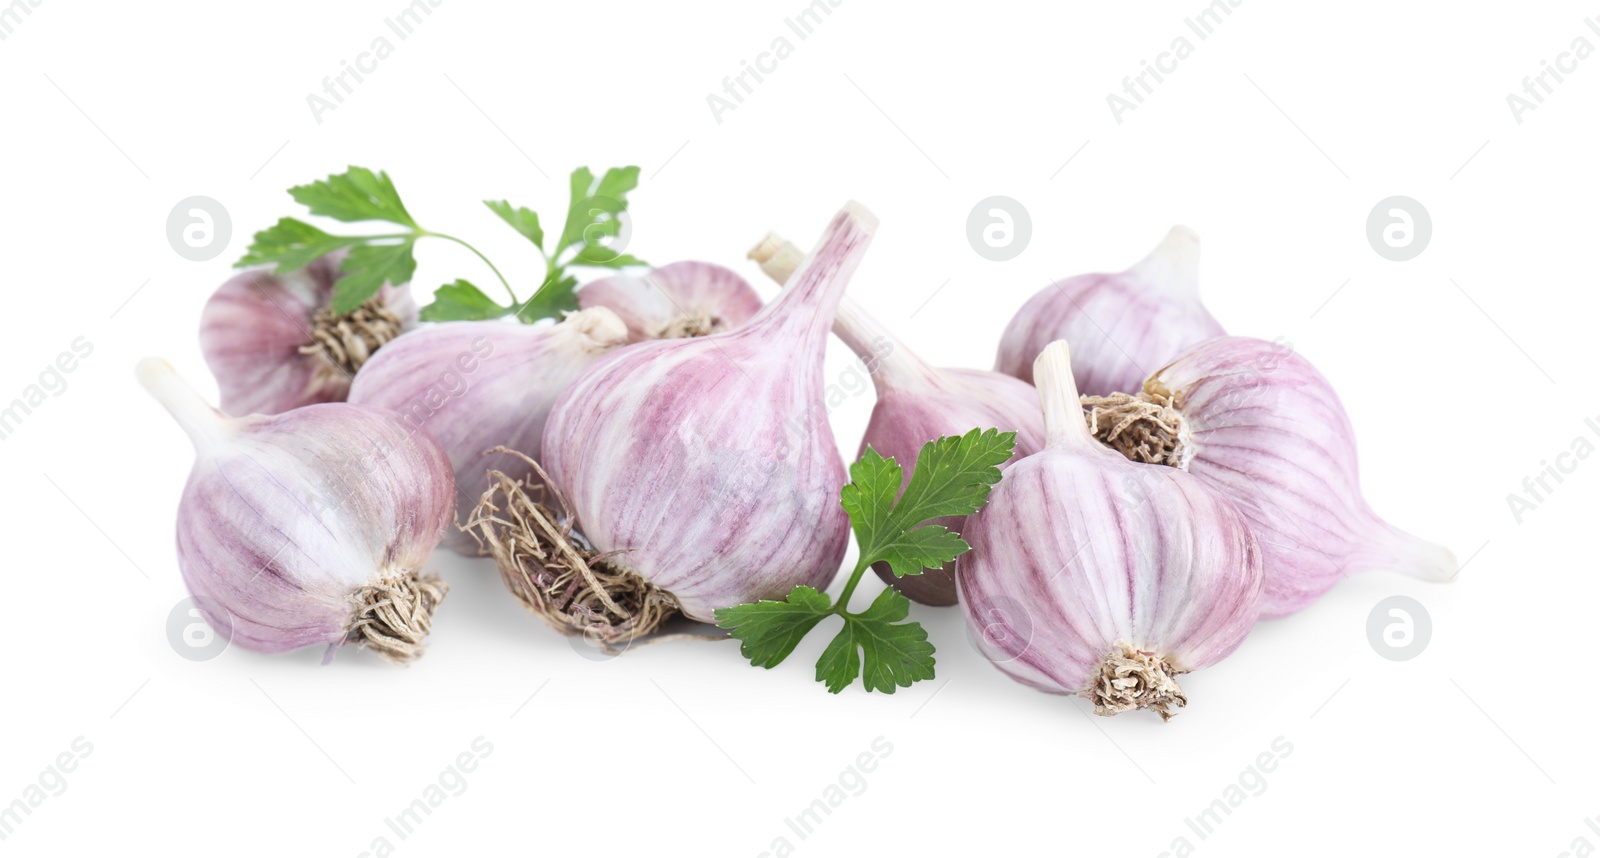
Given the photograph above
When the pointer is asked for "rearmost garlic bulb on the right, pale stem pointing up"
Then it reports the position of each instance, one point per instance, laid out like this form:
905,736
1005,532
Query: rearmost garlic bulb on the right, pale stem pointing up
1121,326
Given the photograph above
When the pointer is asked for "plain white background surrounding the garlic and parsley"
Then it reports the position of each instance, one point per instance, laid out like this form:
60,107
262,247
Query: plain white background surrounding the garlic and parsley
1462,371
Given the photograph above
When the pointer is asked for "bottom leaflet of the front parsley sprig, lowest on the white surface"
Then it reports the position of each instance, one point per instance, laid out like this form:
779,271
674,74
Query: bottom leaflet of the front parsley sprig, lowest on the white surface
895,654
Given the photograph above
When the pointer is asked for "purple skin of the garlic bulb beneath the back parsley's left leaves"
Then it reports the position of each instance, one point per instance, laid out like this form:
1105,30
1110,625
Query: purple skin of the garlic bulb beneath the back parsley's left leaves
252,331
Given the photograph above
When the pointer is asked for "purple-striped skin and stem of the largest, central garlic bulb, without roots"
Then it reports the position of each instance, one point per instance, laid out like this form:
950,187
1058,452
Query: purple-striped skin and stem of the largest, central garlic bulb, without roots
708,463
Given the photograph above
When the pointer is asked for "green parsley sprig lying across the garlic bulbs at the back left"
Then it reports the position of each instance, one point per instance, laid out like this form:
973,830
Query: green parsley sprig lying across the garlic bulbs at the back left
366,196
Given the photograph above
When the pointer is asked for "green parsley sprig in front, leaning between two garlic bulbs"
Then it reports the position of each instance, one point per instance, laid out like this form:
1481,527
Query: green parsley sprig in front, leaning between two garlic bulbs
953,478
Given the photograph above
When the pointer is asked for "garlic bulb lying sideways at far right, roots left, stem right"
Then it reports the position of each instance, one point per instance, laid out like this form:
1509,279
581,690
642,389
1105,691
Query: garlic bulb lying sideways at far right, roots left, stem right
1262,427
